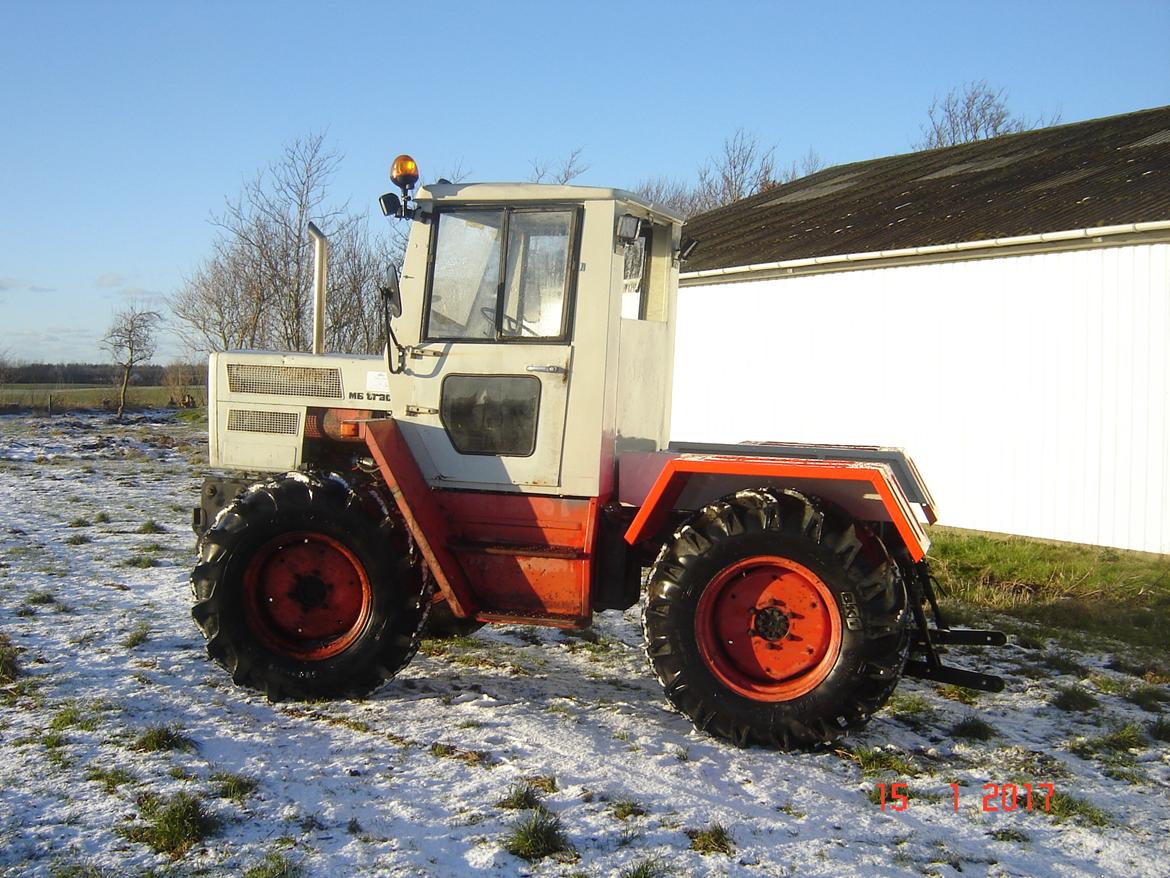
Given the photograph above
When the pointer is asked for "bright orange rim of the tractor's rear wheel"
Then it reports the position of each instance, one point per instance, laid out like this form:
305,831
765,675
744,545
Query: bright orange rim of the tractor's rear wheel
768,628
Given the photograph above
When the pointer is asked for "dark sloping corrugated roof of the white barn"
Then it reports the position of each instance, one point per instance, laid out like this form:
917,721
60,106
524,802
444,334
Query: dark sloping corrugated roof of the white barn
1102,173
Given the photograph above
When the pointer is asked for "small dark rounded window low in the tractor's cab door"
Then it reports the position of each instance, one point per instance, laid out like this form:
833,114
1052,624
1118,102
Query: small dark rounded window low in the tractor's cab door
491,414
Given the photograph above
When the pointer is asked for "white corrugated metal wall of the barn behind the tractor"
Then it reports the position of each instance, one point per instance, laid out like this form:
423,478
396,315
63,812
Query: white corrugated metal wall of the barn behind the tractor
1034,392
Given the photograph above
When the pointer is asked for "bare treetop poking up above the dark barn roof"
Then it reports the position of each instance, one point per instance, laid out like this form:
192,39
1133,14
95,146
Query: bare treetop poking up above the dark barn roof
974,112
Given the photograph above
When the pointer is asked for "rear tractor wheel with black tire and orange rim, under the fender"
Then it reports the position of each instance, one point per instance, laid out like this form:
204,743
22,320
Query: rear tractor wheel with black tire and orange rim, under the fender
758,557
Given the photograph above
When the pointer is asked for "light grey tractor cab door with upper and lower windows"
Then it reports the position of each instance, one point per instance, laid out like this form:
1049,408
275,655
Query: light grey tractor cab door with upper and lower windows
492,374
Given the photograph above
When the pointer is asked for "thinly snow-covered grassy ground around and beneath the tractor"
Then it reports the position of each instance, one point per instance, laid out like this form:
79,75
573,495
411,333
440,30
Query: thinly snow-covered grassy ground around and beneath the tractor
408,783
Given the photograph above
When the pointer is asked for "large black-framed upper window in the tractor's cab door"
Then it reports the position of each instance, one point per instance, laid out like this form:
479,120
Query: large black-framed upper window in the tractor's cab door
472,299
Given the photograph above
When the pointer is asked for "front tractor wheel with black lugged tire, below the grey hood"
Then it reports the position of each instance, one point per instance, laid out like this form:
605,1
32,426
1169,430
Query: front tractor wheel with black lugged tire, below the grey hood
307,589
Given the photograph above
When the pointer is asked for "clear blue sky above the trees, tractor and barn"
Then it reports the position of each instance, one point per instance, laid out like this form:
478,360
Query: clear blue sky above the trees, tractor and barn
127,125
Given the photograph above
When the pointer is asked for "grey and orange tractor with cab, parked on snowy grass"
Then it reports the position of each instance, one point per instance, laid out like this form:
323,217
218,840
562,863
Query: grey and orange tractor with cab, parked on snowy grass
507,459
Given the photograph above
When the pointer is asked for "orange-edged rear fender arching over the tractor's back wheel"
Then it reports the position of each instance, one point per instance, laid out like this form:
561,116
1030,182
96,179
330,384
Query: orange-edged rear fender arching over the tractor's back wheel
869,491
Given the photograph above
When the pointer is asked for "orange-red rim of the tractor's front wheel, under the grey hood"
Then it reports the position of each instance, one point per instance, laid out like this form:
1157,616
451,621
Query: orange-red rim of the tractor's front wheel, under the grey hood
307,596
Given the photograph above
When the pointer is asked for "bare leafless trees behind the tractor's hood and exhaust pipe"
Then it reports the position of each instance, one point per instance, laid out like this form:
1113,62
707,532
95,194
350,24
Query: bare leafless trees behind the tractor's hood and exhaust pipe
256,290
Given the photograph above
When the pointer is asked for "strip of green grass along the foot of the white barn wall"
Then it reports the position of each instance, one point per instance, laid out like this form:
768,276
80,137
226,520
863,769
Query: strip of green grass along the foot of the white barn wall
1103,592
